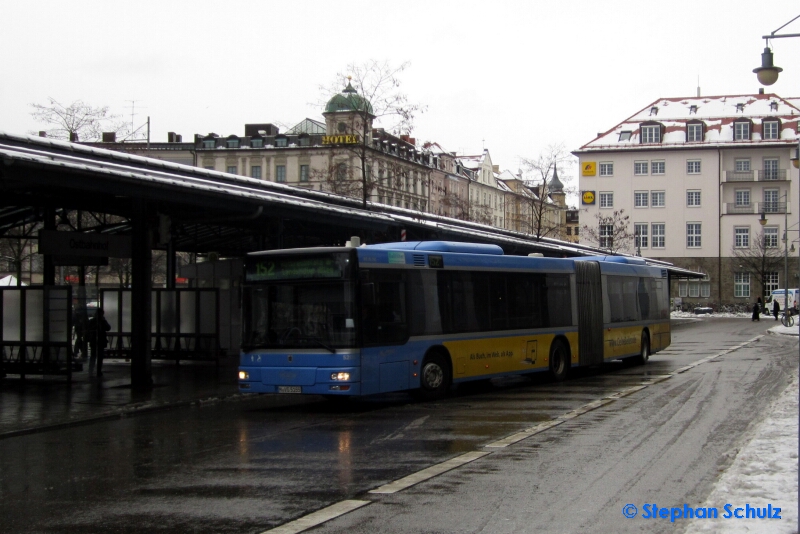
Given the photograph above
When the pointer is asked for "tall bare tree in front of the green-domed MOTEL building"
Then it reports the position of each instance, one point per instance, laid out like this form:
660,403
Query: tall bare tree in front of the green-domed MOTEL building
372,93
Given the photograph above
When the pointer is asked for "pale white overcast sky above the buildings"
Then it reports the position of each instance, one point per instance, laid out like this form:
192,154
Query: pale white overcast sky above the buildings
511,76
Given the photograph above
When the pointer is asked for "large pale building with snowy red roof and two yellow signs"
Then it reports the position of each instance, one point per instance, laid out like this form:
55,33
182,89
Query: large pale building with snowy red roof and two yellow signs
695,175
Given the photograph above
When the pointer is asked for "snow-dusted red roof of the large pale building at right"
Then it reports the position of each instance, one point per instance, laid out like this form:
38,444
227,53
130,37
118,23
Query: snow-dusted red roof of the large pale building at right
718,113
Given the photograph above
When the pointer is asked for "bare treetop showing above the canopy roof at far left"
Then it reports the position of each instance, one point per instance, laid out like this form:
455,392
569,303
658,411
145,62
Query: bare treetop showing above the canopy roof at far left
76,122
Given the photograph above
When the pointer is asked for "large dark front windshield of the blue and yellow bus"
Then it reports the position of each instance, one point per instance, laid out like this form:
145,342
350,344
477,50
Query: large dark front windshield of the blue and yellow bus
299,315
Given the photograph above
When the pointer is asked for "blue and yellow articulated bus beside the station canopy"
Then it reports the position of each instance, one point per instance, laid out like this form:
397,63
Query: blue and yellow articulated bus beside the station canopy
420,316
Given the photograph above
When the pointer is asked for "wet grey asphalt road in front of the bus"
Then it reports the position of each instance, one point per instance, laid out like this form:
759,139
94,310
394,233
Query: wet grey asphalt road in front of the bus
251,465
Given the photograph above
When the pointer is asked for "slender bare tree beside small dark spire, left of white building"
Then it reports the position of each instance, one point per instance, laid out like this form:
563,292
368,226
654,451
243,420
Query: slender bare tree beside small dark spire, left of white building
539,172
